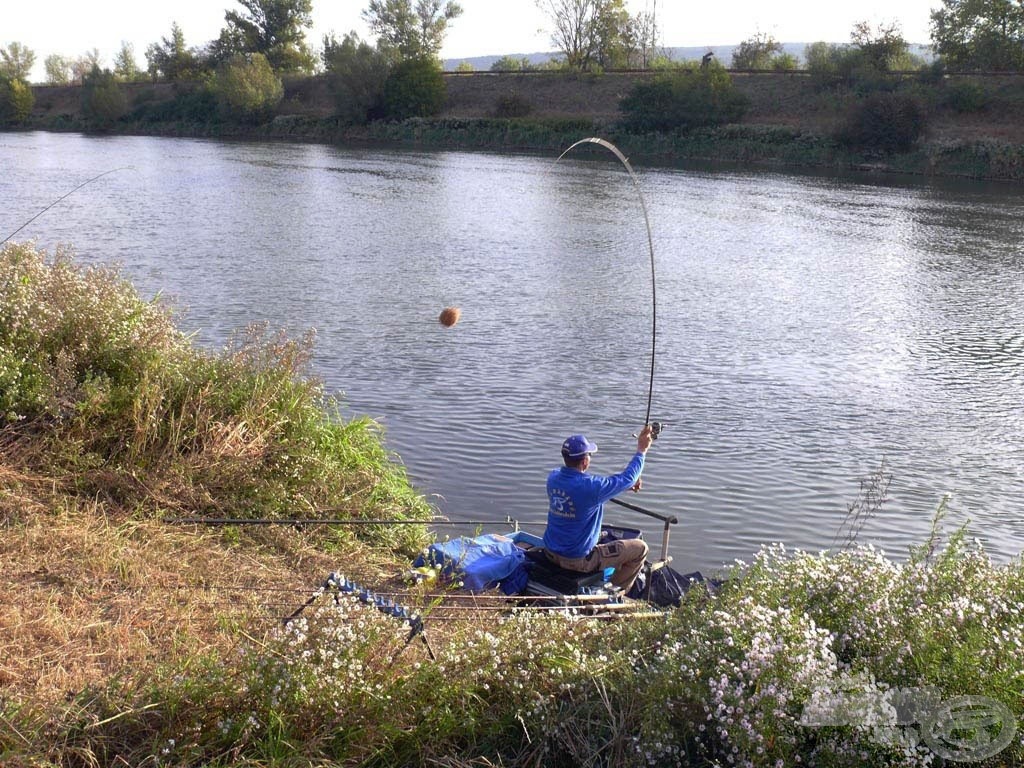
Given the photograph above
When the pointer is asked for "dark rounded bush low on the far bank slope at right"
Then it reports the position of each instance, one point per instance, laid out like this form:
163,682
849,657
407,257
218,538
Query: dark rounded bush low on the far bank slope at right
884,122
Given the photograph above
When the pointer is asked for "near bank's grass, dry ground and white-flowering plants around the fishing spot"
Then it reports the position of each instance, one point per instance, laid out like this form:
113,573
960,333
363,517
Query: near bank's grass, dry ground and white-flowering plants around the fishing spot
127,642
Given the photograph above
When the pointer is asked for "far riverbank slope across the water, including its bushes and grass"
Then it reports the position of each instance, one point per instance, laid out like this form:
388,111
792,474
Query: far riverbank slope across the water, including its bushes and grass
924,123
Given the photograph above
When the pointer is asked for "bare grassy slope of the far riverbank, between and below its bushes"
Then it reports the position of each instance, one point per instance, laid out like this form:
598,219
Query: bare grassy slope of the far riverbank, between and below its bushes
790,123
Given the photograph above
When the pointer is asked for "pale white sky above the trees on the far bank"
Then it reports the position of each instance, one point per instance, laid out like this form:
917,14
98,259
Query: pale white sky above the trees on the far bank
486,28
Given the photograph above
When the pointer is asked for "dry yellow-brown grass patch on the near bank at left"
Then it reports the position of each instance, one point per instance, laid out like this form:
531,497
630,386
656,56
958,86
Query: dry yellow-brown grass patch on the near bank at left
92,595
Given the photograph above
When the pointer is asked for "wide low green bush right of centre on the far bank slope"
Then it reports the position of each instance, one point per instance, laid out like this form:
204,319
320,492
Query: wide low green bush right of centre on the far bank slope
684,100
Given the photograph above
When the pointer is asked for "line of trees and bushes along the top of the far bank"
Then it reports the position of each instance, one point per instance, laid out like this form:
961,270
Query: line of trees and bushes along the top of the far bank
238,76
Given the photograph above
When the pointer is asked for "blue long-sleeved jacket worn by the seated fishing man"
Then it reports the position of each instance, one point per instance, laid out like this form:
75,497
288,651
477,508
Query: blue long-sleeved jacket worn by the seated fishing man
576,506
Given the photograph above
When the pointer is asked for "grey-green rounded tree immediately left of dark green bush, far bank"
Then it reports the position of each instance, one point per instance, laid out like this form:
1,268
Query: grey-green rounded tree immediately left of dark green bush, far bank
357,73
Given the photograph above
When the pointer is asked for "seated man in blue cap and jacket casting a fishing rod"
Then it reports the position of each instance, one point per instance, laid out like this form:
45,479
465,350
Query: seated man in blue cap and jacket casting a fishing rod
577,508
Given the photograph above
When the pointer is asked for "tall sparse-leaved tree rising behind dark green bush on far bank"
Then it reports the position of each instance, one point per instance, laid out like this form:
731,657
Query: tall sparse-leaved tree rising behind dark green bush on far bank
408,30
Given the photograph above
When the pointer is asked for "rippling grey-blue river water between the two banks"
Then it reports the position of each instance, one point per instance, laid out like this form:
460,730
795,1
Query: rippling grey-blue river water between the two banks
810,329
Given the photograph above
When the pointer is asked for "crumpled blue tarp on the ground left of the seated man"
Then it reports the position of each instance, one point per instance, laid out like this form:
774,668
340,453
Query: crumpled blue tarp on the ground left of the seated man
483,563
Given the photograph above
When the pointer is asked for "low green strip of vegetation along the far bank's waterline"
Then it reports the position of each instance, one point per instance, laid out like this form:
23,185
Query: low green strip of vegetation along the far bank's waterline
743,146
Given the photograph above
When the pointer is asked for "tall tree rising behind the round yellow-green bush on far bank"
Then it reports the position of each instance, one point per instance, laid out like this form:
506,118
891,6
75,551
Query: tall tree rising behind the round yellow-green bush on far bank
275,29
